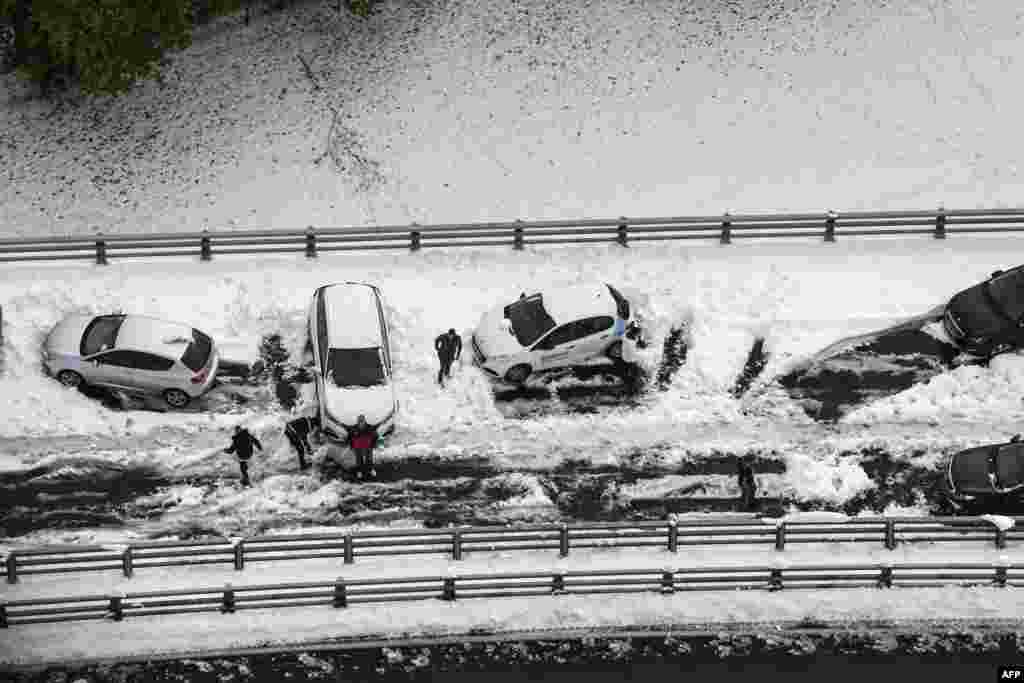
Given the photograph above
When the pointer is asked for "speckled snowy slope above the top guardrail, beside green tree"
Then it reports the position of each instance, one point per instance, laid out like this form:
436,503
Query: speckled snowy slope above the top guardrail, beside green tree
585,109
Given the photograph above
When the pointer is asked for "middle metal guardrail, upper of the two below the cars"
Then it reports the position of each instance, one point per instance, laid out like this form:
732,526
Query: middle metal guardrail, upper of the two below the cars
667,535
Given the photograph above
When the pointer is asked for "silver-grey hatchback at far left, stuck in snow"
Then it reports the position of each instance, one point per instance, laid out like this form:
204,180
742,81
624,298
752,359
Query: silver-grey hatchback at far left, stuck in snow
134,354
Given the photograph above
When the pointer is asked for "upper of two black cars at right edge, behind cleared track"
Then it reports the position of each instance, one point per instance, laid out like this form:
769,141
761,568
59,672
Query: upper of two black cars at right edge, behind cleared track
989,318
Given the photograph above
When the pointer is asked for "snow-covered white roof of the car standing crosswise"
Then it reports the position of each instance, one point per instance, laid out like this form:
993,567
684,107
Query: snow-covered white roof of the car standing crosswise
353,316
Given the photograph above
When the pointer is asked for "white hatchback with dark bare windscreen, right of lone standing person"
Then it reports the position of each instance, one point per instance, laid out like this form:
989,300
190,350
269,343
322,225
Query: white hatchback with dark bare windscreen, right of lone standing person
588,325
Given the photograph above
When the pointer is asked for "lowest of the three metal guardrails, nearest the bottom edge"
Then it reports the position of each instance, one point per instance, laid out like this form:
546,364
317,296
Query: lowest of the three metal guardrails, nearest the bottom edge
342,593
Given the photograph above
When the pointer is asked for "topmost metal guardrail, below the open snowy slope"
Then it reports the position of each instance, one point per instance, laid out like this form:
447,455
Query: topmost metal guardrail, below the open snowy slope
623,231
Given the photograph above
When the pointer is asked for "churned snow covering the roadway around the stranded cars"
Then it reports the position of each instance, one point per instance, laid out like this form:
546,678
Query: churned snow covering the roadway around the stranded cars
799,297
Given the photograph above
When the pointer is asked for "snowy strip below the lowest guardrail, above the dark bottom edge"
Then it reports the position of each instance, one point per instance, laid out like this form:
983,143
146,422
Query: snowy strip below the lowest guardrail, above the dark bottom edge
269,628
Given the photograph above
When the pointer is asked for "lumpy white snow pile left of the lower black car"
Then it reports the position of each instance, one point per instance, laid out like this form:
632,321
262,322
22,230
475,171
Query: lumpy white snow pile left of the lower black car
830,480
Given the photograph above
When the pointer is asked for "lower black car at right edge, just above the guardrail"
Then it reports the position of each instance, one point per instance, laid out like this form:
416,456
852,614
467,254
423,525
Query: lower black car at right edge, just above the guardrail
988,476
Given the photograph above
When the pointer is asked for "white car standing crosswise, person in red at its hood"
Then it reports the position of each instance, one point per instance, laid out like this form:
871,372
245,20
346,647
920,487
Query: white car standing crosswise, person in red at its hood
353,359
